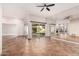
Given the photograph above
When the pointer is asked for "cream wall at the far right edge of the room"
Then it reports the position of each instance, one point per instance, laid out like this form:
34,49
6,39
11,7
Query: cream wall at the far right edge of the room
73,27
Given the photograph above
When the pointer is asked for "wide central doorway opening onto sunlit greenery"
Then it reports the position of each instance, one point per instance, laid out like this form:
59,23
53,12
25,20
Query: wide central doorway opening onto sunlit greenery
38,29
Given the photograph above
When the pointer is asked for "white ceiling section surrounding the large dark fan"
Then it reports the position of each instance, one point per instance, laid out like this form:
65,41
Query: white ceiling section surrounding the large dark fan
23,9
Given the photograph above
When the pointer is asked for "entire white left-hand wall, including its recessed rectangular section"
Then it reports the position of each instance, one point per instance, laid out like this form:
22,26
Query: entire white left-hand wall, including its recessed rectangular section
12,27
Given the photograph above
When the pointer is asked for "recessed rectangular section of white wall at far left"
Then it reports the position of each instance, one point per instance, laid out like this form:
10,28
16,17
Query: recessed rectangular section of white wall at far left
9,29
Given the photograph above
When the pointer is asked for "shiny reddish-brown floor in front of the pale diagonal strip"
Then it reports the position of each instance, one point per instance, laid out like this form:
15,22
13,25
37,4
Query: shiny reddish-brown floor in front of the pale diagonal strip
20,46
